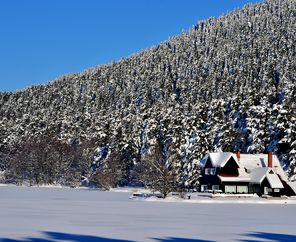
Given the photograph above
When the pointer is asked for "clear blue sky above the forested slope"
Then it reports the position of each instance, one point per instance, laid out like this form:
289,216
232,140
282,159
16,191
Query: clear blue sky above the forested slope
41,40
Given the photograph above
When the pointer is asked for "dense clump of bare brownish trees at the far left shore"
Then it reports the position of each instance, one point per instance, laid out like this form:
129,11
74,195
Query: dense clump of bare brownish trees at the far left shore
45,160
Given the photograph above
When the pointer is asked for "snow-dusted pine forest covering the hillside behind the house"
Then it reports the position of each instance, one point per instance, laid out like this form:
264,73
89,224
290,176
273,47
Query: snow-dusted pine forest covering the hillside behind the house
227,84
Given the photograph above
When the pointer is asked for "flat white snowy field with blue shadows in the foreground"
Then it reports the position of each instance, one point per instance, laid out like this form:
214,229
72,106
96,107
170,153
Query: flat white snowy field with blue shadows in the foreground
29,214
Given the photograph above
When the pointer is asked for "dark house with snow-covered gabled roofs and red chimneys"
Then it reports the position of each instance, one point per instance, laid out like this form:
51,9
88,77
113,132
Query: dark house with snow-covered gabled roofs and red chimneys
244,173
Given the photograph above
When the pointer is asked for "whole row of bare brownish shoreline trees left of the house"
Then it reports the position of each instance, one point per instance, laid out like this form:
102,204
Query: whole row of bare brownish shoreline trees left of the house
49,160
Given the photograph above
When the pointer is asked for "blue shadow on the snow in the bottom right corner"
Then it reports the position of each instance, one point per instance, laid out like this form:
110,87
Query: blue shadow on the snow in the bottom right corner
269,236
